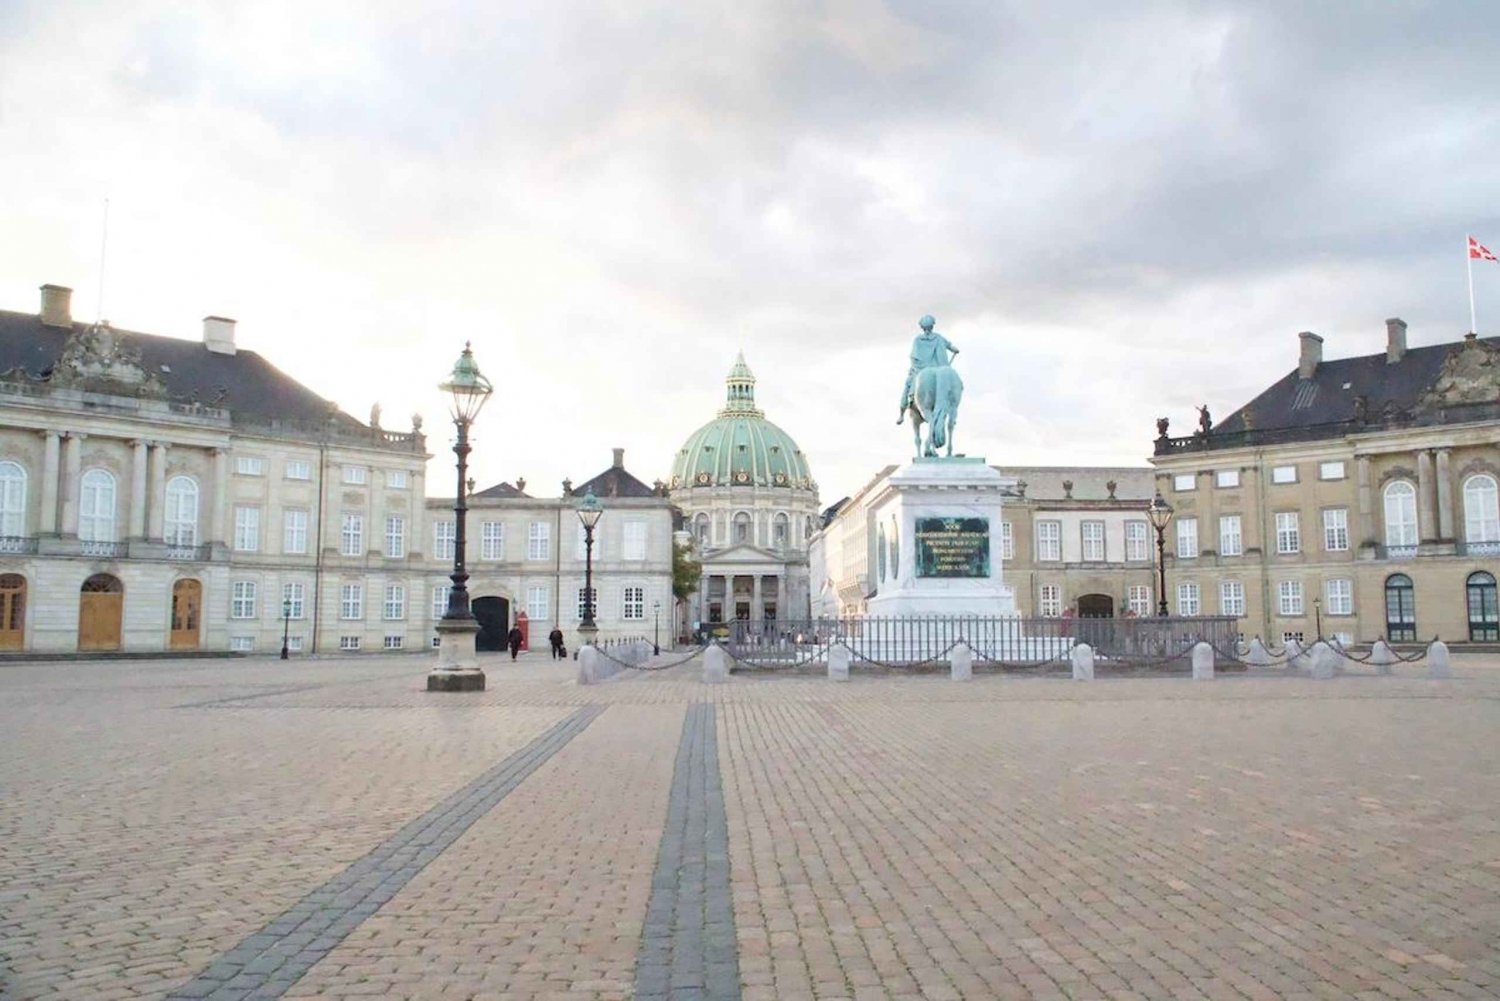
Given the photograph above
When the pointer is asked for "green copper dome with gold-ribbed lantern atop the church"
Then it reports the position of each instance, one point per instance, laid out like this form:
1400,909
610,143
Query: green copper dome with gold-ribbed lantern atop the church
740,448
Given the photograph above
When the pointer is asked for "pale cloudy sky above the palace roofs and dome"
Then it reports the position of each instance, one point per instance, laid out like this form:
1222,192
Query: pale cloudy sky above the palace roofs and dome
1115,211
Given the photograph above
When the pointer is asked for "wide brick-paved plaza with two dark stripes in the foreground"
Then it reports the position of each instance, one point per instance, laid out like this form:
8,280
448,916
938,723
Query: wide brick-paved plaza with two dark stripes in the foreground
328,829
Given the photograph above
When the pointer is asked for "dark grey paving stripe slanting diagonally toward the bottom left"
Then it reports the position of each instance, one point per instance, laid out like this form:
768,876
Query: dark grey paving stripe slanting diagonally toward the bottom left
271,961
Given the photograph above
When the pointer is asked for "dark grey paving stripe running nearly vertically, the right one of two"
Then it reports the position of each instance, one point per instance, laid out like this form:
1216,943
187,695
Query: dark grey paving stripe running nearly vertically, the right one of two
688,946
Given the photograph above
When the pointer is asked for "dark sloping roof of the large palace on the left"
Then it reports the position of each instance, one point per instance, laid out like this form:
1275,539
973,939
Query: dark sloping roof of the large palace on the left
244,383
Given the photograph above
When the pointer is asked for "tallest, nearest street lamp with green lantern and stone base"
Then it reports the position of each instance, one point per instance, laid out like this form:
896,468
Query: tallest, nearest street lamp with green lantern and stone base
458,666
